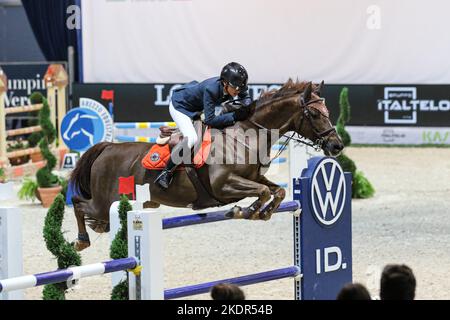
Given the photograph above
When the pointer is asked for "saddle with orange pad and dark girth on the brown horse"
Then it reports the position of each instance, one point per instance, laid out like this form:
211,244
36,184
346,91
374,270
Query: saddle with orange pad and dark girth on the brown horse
159,154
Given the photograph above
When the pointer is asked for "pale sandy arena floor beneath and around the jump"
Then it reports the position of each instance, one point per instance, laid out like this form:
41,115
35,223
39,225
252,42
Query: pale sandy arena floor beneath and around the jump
406,222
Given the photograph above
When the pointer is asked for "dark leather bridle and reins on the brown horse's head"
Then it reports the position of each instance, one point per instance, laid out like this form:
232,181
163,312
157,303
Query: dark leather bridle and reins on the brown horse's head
321,136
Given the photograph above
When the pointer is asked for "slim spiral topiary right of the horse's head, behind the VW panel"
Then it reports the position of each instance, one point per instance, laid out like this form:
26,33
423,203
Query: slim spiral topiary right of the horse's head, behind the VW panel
361,187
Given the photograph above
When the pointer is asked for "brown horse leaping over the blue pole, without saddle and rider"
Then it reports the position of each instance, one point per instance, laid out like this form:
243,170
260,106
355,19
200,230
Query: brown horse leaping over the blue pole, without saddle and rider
296,107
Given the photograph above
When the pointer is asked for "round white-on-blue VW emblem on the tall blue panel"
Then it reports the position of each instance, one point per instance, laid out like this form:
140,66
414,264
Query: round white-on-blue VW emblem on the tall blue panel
328,191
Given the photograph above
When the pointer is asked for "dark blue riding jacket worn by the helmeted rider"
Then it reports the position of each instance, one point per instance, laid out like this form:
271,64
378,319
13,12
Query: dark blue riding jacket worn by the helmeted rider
194,97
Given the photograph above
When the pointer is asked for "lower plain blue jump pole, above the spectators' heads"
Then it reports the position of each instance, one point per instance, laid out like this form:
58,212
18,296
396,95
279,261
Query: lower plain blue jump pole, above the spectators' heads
180,292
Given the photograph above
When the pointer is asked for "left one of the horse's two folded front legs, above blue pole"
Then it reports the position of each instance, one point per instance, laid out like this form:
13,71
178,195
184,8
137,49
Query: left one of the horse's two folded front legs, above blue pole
239,187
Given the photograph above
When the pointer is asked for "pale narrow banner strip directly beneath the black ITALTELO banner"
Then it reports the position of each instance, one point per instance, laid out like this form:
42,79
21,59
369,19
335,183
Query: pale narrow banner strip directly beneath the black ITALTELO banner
399,135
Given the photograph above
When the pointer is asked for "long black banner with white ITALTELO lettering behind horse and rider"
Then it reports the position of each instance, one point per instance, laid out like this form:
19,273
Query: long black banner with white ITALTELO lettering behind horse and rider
371,105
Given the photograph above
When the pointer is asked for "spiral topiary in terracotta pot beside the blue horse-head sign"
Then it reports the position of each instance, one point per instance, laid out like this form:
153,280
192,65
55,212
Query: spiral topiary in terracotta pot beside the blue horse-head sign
49,185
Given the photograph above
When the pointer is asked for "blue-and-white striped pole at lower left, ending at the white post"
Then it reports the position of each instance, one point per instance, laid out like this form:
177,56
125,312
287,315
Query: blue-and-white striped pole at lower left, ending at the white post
67,275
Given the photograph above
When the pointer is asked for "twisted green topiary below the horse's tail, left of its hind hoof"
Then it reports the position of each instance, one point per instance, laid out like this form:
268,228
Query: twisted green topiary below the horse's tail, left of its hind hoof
56,243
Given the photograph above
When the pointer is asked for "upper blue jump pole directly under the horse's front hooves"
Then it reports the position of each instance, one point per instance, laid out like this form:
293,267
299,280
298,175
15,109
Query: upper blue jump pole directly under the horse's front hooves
189,220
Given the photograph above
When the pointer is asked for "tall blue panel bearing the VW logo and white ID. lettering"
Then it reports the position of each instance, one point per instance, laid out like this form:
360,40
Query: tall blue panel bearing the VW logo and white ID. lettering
326,253
